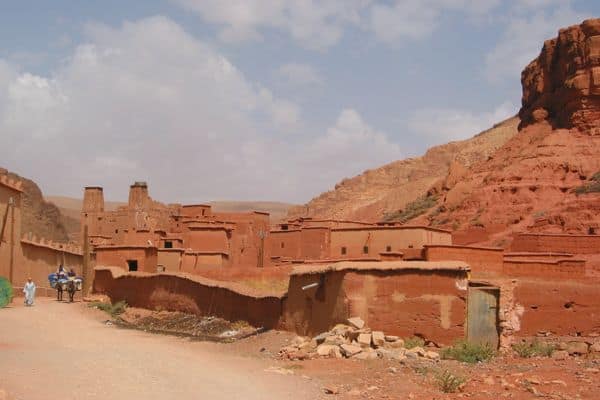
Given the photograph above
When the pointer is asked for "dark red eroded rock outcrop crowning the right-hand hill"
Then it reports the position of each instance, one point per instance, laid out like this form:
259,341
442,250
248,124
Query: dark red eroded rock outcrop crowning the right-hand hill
563,83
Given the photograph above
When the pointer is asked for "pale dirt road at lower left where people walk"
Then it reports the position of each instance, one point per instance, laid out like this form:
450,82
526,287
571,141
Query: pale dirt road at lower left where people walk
57,350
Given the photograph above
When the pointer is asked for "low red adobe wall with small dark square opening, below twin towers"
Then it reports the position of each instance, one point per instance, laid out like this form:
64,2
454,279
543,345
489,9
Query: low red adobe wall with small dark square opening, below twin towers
147,257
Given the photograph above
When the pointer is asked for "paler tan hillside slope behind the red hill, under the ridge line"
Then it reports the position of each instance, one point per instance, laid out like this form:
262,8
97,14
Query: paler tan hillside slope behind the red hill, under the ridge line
380,192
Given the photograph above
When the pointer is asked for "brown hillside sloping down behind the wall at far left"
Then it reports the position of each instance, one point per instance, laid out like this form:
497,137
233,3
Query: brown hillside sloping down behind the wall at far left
38,216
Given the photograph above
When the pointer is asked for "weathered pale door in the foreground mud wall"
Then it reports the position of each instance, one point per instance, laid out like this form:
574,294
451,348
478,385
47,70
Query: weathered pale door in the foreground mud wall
482,315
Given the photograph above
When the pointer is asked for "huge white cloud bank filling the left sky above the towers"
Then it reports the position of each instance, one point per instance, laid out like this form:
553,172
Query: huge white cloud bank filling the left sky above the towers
147,101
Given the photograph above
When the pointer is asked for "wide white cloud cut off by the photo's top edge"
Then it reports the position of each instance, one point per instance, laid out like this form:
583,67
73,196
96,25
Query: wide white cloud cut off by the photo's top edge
319,24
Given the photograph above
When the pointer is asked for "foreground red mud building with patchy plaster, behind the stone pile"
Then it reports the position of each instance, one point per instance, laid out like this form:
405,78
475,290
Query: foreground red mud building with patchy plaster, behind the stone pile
401,298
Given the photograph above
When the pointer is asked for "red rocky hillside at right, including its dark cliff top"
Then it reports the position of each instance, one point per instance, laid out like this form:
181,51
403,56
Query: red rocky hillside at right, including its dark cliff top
546,178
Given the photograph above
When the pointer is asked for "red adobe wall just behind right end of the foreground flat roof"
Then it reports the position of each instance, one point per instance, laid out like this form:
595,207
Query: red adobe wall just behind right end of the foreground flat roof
482,260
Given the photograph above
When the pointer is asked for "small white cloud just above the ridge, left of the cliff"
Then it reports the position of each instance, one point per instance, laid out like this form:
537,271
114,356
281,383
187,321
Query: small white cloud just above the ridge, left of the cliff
441,125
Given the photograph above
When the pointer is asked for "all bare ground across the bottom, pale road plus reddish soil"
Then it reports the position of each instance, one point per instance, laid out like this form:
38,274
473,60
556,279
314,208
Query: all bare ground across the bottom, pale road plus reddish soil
83,358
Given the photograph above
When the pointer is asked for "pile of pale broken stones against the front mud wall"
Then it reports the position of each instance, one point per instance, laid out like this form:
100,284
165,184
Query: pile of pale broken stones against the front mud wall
354,340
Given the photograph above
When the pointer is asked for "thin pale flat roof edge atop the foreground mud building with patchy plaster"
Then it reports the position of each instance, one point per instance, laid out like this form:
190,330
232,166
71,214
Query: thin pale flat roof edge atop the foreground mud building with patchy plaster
383,266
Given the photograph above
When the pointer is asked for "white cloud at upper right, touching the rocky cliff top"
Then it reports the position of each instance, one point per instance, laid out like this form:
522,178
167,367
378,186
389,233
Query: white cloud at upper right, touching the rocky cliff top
524,36
